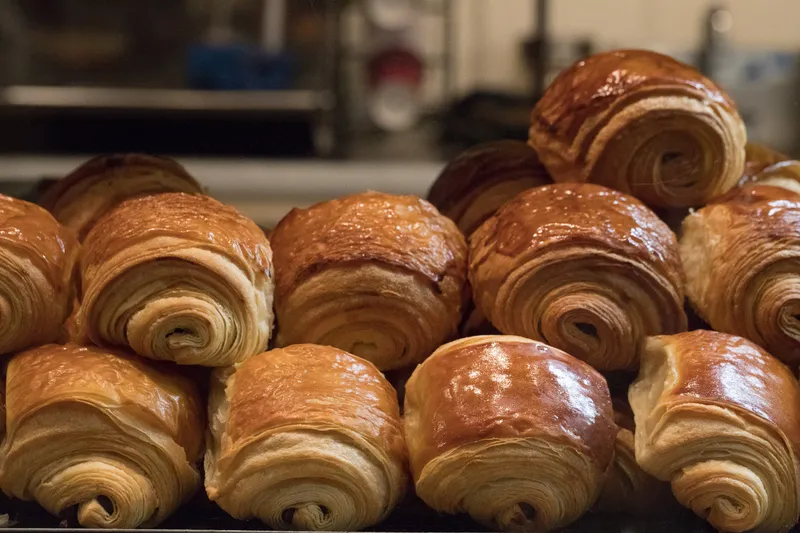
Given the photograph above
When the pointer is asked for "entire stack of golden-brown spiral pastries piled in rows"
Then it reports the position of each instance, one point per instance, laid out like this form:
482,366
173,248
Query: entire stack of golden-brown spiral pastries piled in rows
530,316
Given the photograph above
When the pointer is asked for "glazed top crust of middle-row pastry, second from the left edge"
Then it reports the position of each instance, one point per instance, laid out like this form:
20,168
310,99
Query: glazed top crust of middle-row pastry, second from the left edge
200,221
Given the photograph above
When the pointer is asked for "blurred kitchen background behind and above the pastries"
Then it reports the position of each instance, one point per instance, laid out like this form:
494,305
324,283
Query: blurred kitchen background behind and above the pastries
276,103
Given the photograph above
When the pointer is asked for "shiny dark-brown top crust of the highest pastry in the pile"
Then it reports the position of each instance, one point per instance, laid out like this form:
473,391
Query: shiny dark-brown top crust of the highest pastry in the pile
600,82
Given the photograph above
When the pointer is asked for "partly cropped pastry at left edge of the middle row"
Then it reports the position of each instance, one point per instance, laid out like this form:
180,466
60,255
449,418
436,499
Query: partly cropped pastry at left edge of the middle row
37,261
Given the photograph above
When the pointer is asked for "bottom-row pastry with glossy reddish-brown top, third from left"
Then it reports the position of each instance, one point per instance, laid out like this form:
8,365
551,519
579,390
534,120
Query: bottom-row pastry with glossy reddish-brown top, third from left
513,432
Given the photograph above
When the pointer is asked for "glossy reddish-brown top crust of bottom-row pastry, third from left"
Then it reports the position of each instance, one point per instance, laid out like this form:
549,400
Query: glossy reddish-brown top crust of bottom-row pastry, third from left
496,387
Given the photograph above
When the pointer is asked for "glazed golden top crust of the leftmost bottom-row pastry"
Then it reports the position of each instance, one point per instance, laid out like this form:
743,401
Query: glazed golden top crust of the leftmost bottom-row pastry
108,380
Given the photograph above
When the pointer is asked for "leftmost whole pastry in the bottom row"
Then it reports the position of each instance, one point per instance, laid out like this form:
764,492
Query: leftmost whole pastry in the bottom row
109,433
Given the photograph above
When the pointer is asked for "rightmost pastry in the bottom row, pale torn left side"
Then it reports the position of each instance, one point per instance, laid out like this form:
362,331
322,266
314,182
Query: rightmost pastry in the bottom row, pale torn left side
719,418
